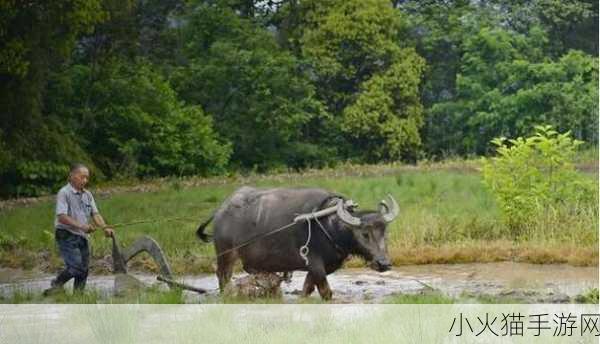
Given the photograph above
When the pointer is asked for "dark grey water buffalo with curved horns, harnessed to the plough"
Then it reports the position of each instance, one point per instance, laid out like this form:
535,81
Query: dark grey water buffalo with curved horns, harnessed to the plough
340,231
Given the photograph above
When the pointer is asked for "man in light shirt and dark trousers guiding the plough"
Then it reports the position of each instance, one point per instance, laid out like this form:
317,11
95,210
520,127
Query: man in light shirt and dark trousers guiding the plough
75,207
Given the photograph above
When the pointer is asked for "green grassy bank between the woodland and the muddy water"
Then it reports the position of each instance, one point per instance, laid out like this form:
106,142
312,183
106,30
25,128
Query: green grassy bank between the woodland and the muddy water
447,216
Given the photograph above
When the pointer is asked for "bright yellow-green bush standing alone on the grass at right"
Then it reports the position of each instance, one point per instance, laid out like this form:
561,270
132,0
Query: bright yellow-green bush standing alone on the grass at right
535,176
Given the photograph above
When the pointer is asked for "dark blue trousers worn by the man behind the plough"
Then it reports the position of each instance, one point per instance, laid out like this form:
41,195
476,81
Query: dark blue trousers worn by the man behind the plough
75,252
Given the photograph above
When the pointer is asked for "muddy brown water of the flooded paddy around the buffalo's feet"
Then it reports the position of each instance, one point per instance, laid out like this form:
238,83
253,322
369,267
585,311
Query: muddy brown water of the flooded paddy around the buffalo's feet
518,281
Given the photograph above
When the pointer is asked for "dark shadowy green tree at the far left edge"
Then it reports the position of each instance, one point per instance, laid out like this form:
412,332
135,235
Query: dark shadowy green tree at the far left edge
36,36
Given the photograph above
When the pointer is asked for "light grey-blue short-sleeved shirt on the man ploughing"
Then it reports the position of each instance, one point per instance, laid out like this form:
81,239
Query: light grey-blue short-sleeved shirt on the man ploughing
79,205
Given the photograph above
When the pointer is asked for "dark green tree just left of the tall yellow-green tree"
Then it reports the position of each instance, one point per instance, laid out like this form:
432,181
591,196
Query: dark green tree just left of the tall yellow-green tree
257,93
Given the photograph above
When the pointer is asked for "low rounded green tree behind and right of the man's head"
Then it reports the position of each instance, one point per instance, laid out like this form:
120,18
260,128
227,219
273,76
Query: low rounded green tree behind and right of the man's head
131,122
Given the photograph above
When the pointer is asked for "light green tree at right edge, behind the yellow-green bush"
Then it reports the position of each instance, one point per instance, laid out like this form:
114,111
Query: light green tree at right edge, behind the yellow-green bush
507,86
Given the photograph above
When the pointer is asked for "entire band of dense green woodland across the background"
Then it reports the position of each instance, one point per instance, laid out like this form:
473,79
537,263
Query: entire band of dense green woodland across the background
155,88
